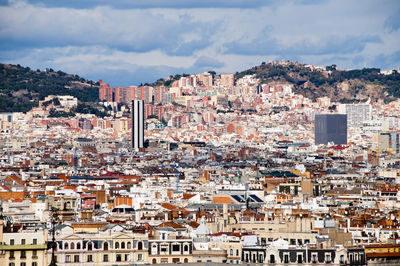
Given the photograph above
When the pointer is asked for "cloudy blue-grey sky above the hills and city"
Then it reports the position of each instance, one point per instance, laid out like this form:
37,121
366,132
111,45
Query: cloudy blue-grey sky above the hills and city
128,42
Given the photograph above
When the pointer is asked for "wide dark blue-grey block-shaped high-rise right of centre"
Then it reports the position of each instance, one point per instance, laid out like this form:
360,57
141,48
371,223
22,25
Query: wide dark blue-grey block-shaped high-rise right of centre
330,128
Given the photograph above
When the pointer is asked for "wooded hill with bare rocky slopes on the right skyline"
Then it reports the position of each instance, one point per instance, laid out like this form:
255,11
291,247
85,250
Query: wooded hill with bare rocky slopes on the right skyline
341,86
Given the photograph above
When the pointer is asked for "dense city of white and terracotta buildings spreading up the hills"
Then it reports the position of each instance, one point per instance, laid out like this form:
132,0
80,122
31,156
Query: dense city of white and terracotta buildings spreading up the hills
208,168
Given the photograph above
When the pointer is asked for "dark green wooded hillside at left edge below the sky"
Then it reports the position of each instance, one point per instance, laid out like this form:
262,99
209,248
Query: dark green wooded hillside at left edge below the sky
21,88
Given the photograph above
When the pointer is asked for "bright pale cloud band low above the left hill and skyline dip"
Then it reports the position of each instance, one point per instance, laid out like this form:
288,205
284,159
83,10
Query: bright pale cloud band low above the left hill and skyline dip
116,67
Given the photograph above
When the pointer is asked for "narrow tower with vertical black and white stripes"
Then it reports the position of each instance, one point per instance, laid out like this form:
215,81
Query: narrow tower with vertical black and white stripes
137,124
